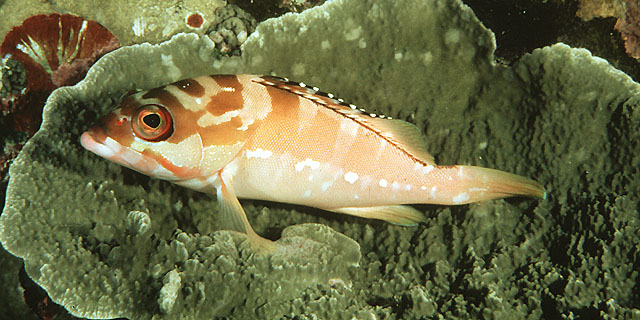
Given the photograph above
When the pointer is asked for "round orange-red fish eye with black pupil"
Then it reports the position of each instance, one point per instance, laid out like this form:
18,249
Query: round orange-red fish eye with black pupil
153,122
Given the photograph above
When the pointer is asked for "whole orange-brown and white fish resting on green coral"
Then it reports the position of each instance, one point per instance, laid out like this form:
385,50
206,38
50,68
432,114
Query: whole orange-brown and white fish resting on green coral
245,136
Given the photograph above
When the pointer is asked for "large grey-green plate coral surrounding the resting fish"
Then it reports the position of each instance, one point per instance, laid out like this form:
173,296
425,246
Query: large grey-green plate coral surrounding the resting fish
106,242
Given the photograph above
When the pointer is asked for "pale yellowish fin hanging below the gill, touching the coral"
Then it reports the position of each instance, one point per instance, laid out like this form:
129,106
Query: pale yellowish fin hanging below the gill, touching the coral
233,214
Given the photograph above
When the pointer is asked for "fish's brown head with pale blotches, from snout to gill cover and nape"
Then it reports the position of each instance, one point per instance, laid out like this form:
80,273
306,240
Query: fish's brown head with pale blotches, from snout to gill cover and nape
186,130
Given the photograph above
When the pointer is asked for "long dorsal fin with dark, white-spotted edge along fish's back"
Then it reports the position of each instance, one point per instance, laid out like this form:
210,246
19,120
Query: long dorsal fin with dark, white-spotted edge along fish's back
405,136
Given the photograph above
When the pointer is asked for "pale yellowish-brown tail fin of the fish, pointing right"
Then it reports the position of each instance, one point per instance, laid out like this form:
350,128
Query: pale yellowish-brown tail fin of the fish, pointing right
478,184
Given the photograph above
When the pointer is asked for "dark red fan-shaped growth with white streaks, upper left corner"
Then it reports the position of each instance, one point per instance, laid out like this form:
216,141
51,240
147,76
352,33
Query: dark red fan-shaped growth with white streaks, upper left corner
55,50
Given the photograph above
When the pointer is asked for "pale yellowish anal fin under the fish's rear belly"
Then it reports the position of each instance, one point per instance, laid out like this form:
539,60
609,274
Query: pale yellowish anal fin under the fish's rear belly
396,214
